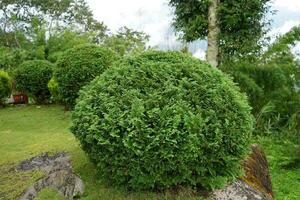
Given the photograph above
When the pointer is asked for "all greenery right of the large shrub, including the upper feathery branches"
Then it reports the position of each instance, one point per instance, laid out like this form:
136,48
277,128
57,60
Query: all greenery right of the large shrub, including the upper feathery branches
272,84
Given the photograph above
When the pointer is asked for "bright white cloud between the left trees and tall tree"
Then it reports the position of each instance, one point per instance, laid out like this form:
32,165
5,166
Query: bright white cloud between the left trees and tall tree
153,17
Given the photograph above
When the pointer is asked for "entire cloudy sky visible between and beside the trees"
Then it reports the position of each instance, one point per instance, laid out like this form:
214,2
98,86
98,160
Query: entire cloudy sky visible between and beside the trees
154,17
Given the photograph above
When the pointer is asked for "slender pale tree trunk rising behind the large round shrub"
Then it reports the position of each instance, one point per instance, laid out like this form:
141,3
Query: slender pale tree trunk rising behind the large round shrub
213,34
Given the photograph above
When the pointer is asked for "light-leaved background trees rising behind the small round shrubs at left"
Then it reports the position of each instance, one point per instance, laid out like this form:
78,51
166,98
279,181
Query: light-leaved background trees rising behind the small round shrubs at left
38,30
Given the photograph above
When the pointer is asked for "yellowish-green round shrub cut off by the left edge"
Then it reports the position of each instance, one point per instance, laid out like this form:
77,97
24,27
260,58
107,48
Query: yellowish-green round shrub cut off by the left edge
5,86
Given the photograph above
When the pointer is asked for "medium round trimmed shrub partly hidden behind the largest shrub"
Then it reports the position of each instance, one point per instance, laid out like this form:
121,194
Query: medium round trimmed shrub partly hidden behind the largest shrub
77,67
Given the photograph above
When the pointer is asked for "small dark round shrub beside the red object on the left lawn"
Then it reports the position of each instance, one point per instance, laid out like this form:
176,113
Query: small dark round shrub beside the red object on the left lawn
32,78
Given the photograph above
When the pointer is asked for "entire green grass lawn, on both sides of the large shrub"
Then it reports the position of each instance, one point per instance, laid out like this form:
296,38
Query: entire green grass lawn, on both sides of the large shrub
27,131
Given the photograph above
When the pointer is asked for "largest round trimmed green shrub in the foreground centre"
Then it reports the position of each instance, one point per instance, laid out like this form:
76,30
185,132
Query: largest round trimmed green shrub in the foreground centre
163,119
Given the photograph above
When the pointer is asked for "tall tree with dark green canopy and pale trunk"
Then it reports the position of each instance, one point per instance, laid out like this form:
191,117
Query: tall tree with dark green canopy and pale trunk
233,28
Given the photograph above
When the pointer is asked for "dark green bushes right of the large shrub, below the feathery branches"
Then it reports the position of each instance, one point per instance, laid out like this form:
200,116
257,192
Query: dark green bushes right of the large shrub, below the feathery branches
274,94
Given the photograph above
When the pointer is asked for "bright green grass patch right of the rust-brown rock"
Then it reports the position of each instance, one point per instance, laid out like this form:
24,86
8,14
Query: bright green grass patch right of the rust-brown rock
284,162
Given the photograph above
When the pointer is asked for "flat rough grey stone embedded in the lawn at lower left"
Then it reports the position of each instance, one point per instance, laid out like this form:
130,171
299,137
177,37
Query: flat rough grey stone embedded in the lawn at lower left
58,176
